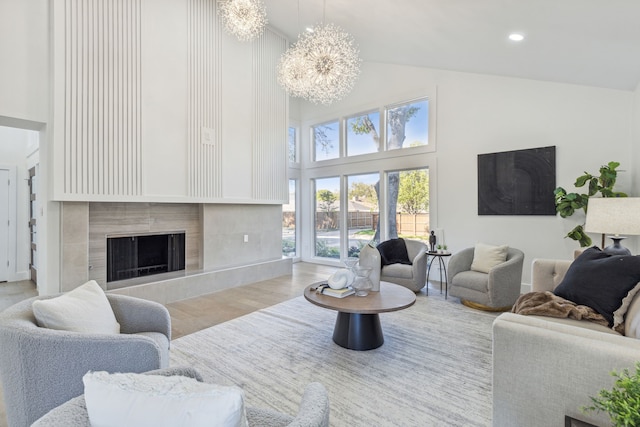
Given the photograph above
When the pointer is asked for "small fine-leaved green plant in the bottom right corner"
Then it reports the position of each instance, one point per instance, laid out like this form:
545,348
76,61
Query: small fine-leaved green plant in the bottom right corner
622,402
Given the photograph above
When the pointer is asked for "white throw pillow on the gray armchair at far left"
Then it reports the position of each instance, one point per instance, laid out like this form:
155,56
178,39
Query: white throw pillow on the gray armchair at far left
84,309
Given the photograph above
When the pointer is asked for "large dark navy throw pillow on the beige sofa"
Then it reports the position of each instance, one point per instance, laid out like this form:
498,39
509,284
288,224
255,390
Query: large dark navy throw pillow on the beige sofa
600,281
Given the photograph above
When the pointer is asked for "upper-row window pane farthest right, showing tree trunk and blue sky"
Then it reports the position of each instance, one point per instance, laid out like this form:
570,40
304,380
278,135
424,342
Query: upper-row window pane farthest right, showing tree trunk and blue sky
407,124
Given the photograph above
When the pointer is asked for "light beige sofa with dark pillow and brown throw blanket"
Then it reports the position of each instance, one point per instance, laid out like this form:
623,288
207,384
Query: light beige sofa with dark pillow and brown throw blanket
545,368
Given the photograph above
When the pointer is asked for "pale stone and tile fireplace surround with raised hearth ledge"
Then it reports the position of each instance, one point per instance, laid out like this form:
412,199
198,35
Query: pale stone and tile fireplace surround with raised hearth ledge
216,255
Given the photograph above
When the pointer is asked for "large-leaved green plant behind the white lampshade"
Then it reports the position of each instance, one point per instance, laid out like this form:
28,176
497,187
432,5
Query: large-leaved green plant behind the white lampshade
568,203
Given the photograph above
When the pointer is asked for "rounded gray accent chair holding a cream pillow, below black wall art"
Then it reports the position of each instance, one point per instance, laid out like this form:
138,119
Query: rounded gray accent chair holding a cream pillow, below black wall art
497,290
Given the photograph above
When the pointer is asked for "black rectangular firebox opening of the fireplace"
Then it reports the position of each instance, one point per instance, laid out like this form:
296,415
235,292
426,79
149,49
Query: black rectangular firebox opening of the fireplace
144,255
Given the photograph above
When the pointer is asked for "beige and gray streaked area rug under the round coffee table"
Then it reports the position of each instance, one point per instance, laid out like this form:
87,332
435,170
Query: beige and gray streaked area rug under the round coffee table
434,368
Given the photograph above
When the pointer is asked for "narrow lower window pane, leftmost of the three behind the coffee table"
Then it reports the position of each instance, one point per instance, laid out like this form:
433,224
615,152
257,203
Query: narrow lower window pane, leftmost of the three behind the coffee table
327,217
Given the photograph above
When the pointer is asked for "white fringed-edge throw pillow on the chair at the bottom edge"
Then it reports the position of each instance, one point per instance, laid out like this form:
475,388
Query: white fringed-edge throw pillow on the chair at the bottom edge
115,400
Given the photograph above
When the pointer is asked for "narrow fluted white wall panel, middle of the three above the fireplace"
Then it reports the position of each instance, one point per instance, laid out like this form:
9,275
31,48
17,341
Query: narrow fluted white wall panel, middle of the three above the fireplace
205,100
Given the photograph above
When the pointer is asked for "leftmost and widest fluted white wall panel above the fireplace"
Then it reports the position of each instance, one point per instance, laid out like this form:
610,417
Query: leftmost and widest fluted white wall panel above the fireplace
102,97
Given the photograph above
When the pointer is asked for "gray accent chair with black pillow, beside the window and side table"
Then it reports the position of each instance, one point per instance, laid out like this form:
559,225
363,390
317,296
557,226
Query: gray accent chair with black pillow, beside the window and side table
412,276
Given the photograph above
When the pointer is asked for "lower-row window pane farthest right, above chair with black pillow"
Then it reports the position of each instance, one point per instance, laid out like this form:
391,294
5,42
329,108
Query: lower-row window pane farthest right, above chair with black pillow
408,203
